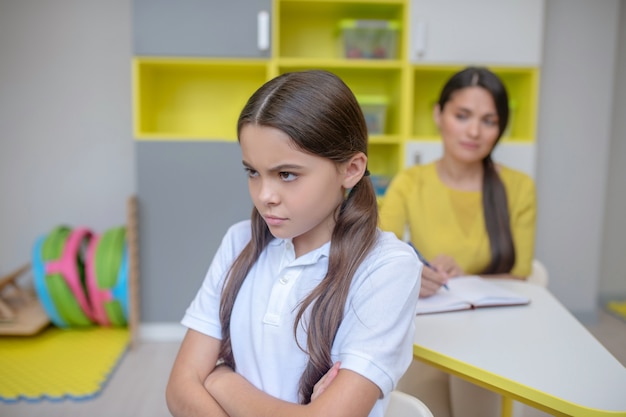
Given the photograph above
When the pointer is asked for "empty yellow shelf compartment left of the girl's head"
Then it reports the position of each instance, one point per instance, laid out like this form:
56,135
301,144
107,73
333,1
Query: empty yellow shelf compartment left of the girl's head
182,98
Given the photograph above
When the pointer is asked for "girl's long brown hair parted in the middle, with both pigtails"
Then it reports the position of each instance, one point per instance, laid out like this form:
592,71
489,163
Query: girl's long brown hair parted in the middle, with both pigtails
322,117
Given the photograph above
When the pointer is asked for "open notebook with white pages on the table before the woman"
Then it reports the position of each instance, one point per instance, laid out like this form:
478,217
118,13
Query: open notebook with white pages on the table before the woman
469,292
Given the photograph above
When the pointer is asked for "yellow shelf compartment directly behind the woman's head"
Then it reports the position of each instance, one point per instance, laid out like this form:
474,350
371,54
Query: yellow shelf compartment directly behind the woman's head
521,84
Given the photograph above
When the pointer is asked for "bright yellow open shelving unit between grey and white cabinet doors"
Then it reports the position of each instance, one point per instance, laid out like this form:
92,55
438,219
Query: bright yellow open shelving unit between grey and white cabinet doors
185,98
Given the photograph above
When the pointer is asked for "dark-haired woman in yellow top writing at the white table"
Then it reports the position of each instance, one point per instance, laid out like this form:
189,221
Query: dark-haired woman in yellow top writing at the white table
464,213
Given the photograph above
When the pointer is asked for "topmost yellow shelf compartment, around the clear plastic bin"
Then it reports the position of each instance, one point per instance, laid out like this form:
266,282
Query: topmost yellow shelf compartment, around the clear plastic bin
310,28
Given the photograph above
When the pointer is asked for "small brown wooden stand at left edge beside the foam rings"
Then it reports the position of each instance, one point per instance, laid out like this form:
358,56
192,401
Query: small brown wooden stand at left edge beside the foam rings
21,314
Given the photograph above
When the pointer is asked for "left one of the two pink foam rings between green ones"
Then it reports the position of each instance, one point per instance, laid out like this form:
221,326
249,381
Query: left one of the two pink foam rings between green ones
67,267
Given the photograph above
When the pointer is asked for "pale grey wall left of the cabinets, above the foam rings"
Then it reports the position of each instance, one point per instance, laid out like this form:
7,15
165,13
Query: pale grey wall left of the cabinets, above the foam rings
66,149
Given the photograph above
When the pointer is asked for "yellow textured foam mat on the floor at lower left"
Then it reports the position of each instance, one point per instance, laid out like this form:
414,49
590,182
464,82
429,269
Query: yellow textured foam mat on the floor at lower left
60,363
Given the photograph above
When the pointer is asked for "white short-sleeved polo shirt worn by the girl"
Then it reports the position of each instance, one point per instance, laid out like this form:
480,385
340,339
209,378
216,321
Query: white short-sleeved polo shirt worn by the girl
375,338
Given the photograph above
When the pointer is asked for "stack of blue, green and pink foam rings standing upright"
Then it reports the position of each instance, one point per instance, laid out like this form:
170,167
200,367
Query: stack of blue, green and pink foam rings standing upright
81,278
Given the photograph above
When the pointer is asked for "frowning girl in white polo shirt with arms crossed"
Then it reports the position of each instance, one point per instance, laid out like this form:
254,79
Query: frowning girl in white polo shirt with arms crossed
307,282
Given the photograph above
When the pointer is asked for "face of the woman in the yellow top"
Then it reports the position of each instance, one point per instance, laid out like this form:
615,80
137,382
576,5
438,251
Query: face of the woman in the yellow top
468,124
